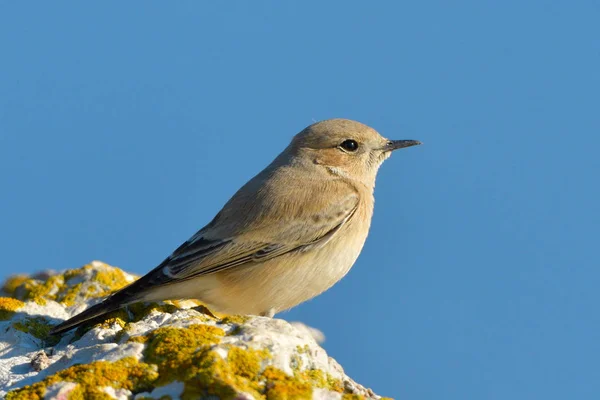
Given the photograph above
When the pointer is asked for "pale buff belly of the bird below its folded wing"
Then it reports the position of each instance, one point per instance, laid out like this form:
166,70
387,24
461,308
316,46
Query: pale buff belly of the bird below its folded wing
285,281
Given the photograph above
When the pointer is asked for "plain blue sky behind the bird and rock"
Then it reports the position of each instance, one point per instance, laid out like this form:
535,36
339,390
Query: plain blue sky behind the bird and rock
125,127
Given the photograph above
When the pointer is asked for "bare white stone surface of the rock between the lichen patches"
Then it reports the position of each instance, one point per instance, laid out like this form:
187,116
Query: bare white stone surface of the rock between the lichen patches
292,348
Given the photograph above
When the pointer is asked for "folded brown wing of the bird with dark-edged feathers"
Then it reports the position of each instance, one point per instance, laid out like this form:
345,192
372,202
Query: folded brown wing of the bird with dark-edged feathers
307,229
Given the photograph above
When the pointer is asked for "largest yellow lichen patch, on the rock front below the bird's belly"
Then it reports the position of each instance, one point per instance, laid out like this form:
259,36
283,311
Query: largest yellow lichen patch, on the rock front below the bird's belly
185,355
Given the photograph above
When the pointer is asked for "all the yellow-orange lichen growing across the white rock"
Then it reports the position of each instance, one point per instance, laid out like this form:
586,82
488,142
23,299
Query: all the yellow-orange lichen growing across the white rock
187,355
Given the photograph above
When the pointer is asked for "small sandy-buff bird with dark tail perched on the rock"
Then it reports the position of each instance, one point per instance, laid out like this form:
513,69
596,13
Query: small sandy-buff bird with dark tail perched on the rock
286,236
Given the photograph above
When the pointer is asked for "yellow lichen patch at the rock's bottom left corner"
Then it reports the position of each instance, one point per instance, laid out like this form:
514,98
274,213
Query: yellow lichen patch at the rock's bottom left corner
127,373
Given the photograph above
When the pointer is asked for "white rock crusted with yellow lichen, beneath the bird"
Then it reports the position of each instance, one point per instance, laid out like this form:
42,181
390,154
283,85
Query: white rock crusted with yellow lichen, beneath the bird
173,350
